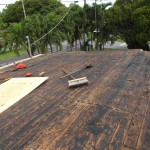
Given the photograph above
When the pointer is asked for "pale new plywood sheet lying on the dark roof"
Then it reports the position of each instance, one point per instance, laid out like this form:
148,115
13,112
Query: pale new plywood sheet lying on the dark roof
16,88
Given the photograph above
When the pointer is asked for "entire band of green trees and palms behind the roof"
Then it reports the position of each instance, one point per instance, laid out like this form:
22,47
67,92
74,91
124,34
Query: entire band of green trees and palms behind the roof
127,19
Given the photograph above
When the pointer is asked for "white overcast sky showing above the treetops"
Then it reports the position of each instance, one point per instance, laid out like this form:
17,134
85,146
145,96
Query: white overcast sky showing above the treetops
66,2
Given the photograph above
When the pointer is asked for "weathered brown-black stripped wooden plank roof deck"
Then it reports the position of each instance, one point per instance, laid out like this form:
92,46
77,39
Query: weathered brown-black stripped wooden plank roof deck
113,112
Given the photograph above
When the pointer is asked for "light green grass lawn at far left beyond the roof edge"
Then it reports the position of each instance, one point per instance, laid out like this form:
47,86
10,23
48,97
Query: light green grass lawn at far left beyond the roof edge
10,54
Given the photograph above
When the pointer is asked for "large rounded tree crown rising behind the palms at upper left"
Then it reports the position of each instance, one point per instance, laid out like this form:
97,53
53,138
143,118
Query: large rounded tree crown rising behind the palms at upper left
14,12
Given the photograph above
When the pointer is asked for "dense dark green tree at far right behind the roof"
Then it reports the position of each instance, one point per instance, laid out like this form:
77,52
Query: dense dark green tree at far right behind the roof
131,20
